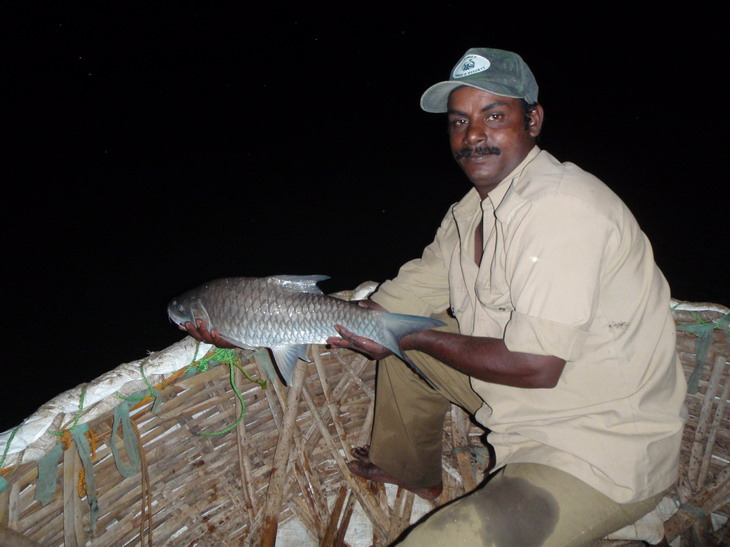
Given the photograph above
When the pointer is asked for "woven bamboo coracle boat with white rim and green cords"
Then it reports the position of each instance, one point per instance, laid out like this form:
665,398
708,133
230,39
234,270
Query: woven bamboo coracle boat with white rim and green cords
184,466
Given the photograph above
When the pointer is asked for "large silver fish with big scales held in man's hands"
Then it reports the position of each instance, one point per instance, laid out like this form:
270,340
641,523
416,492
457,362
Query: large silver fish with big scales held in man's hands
285,313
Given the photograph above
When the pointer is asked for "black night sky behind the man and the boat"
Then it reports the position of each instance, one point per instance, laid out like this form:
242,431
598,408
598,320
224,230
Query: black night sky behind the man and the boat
151,149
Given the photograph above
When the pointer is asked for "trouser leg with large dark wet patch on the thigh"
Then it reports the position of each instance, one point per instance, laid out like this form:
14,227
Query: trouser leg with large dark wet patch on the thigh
528,504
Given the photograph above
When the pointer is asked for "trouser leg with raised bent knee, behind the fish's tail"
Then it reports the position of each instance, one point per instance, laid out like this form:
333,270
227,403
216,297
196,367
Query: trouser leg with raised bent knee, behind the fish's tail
406,440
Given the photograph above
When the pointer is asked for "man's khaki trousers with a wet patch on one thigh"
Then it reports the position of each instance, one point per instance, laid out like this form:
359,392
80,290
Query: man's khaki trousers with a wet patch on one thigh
521,504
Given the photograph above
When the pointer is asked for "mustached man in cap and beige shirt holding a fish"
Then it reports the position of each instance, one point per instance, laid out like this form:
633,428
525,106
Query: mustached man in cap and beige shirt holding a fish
562,344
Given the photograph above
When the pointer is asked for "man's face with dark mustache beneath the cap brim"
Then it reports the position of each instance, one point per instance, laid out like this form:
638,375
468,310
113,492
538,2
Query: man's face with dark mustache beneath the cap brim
488,136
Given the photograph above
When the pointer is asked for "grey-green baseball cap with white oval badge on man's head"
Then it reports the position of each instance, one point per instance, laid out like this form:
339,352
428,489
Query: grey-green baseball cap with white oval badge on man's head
493,70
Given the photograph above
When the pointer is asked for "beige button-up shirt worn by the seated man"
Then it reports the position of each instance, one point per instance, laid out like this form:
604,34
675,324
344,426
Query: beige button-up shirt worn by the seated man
566,271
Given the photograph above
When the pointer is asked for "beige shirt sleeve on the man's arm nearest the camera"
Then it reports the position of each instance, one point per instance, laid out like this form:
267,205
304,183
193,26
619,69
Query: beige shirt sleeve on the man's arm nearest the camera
555,259
